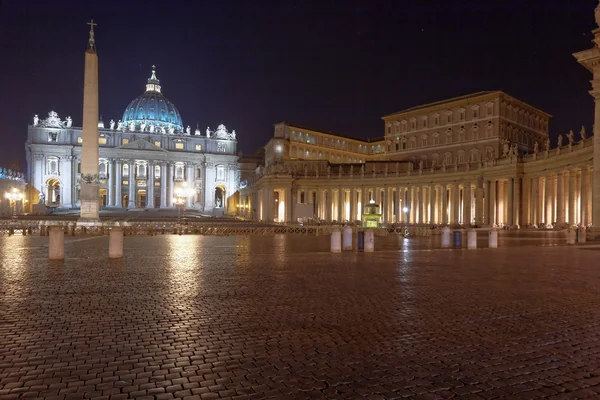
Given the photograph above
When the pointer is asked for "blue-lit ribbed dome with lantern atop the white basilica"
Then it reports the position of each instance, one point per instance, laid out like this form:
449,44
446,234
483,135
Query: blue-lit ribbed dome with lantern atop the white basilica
152,108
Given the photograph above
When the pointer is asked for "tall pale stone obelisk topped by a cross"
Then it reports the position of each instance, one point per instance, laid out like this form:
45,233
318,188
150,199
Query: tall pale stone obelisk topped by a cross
89,195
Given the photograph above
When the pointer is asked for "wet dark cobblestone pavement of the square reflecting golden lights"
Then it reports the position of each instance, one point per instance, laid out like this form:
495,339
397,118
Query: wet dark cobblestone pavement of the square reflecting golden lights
278,317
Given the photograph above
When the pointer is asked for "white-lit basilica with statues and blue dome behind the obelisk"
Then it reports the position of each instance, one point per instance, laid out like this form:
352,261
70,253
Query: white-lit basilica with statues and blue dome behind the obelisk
144,157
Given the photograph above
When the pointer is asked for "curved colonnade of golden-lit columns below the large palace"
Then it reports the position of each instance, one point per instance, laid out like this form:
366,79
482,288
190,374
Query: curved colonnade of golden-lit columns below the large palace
555,197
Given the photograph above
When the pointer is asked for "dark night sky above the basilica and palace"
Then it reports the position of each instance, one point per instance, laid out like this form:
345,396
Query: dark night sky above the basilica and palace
333,65
